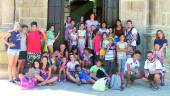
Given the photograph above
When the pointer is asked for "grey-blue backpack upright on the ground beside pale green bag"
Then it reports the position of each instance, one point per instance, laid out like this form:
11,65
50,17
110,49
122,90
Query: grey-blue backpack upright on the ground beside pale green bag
115,82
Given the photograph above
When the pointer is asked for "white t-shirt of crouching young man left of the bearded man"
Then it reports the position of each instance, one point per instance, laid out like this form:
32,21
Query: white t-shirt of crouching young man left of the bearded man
133,65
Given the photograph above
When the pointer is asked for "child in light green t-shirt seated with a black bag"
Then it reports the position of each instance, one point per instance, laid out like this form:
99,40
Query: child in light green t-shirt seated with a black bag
97,71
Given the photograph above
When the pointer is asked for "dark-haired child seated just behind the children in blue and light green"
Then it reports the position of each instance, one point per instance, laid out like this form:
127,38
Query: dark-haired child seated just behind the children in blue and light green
87,59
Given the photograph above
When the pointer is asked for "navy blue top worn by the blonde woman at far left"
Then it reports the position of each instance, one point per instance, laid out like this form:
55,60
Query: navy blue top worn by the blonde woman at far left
15,38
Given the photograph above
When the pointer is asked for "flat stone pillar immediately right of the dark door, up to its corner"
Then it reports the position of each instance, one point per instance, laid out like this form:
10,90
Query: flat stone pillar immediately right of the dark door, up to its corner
138,12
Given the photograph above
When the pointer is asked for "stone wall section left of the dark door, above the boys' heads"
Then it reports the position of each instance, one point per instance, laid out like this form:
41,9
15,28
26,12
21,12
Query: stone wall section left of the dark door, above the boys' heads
32,10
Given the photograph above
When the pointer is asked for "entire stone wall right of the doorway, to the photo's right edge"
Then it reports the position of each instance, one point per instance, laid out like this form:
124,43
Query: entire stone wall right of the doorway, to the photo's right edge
147,16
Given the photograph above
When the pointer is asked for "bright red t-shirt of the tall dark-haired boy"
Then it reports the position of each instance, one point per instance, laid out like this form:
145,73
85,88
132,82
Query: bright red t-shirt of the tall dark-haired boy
34,42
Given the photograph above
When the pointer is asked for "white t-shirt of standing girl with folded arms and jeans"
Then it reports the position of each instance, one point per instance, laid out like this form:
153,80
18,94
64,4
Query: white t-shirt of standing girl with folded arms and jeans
121,45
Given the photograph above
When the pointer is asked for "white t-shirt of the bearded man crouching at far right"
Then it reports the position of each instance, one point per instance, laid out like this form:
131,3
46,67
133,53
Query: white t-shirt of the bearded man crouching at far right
153,66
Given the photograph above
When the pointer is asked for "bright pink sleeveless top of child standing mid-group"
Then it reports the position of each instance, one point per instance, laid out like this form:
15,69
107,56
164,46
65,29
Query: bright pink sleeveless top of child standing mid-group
97,39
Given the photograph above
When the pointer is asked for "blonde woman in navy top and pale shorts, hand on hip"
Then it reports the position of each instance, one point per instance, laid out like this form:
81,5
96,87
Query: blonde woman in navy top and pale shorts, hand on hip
12,39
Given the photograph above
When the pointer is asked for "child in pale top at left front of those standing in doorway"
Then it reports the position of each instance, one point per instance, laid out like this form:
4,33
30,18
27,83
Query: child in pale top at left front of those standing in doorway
73,37
